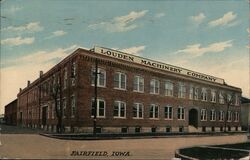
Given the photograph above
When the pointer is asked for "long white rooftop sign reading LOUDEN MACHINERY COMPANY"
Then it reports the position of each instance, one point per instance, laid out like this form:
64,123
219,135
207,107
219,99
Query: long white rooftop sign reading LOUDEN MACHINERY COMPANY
155,64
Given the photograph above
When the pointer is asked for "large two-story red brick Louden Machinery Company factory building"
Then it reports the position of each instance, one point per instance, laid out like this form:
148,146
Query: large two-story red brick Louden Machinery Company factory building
134,94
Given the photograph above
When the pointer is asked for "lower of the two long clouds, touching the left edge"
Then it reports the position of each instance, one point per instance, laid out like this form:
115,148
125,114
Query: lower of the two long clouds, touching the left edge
17,41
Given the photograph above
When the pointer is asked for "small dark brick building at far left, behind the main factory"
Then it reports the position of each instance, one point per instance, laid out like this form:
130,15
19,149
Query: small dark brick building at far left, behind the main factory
10,113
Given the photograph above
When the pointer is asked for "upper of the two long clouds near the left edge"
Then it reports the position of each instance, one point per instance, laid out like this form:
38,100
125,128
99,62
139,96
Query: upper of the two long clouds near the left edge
30,27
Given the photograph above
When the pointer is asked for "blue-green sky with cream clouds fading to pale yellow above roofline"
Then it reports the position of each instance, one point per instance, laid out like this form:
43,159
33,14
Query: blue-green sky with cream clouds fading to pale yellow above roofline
210,37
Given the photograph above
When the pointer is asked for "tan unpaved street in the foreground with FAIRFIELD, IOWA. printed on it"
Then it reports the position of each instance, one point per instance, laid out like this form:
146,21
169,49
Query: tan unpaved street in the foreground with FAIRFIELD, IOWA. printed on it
32,145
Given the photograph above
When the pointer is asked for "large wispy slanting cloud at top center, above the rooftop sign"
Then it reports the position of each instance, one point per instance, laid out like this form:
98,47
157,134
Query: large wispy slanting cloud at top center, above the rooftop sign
121,23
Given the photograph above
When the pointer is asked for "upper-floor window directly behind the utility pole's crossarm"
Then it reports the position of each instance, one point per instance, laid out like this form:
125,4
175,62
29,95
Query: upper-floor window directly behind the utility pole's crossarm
101,77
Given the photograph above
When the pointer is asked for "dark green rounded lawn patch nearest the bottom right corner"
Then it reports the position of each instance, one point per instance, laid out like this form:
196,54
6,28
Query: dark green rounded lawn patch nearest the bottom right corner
210,153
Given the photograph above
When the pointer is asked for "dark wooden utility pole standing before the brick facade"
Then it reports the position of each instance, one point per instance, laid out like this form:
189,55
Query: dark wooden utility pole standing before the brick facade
95,99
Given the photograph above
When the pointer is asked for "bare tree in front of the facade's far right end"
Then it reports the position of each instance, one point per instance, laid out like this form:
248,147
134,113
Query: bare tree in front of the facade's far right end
229,100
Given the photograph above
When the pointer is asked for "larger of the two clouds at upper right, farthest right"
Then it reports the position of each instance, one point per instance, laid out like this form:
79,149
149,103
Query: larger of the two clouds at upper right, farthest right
226,20
